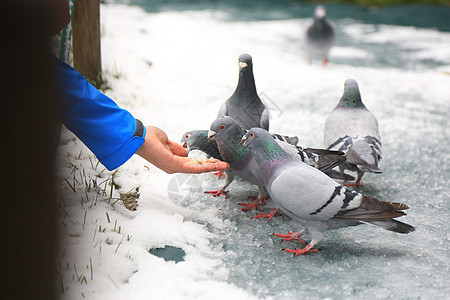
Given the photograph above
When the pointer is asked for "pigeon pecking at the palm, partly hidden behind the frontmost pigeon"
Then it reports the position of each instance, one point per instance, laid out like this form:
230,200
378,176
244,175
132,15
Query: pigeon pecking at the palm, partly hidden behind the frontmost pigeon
228,134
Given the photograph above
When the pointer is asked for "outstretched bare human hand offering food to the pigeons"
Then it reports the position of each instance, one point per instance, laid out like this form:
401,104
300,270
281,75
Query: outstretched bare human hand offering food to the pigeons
171,157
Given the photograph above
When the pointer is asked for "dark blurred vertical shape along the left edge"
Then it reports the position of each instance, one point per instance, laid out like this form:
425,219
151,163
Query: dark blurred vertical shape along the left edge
28,149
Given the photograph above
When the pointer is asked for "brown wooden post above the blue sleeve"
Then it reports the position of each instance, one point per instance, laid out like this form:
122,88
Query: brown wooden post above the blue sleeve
86,39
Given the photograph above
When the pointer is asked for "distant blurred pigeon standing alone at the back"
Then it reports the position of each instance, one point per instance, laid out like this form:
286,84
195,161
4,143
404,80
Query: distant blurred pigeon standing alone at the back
320,35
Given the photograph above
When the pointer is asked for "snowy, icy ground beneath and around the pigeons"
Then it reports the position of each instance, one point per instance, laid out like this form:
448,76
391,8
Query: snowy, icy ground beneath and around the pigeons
173,70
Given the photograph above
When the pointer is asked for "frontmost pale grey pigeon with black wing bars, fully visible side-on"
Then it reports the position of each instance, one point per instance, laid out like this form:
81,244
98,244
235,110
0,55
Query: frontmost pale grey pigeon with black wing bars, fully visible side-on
313,199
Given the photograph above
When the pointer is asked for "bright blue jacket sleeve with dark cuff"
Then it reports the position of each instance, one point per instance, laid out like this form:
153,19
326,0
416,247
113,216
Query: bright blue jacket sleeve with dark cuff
109,131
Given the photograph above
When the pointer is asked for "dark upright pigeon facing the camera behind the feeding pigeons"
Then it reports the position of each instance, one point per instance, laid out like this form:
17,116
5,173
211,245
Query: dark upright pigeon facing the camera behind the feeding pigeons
244,105
